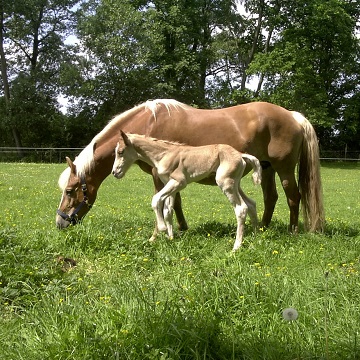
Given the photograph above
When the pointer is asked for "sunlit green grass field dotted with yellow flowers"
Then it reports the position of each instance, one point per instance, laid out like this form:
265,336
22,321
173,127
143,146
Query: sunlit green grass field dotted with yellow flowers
188,298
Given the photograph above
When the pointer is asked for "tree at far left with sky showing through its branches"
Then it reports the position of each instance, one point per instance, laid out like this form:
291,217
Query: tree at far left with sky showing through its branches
32,42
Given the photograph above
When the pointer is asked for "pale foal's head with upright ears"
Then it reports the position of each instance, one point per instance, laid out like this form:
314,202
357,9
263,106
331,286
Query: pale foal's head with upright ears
125,156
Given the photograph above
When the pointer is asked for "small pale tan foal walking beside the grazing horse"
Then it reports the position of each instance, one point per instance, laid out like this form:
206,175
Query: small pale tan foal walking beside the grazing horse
178,165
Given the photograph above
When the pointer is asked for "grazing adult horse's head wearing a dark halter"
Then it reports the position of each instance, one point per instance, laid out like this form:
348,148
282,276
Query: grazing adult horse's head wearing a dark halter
76,199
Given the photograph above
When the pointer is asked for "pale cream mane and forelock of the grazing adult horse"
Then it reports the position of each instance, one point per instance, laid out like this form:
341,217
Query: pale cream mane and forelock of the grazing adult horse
85,161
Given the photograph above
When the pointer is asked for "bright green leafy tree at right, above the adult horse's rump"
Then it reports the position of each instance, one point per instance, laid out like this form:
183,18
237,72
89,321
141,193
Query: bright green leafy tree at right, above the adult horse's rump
311,66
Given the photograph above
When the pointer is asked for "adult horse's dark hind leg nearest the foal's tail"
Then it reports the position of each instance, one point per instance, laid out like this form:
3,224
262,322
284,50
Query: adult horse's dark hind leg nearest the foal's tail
270,194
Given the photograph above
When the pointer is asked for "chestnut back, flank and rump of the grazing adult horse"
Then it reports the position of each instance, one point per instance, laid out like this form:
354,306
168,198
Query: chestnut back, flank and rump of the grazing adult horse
264,130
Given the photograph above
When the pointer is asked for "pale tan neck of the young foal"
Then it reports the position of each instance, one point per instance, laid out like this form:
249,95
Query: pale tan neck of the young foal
151,151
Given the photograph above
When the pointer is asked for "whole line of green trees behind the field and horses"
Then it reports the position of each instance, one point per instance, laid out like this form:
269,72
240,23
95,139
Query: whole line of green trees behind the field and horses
105,56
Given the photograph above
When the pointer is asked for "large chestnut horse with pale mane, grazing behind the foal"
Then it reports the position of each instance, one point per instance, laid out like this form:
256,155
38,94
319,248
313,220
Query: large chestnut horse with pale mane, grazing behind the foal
279,138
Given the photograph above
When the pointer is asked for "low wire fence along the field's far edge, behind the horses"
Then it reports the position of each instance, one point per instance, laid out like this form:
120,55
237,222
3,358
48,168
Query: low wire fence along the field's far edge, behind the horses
57,155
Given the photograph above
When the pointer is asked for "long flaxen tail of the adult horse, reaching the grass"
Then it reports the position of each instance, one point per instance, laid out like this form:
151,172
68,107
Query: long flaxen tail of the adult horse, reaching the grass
309,178
